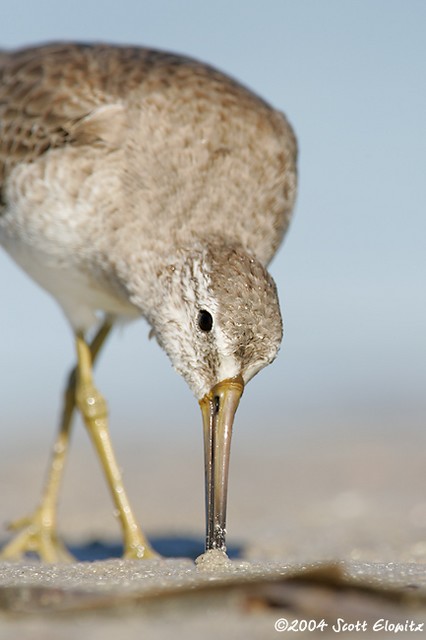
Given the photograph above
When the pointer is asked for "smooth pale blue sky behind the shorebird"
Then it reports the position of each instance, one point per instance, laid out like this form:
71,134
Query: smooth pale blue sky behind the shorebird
350,75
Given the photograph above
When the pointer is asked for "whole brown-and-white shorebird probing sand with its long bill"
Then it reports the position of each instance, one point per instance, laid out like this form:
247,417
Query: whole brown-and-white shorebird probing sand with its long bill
139,183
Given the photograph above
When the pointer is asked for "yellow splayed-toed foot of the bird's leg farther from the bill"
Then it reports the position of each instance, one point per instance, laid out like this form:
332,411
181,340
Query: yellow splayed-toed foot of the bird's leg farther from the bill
35,535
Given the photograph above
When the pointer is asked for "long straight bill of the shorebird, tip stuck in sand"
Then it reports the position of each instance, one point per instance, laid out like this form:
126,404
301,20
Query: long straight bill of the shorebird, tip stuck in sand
218,408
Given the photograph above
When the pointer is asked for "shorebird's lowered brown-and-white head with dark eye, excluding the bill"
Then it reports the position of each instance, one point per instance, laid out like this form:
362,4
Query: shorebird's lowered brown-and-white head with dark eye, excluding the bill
219,316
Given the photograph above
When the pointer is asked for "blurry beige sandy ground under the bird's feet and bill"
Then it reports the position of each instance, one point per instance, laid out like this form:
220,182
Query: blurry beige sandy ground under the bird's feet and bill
344,513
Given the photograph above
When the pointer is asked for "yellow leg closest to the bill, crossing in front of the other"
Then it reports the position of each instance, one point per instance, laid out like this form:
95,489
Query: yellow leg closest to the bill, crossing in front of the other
94,411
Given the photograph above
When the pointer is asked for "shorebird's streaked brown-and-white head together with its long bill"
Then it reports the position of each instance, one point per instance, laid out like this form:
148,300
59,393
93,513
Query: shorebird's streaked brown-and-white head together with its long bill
219,321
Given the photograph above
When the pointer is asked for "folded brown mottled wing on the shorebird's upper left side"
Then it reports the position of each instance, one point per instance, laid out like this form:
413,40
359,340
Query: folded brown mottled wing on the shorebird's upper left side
61,94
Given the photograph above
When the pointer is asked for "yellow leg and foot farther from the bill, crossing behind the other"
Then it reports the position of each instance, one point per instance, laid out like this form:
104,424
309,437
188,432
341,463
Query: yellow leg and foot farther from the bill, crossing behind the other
39,529
